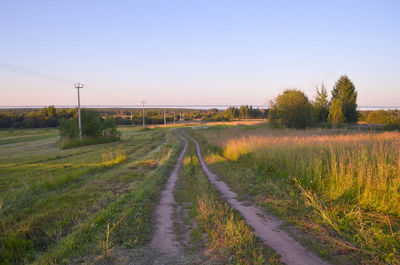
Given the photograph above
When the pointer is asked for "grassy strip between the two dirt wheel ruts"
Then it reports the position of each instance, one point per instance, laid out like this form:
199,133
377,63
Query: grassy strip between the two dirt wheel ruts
228,238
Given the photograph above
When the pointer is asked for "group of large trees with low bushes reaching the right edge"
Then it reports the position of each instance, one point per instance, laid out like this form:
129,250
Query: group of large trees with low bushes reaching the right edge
293,109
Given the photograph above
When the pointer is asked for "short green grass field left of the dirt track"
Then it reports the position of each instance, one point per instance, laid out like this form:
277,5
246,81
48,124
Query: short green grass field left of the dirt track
54,203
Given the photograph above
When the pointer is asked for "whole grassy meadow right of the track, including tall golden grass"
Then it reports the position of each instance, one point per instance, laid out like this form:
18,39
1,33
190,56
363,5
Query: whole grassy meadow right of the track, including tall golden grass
341,188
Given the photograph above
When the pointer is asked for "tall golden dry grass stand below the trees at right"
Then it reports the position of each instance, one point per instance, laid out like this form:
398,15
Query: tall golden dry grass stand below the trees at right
362,168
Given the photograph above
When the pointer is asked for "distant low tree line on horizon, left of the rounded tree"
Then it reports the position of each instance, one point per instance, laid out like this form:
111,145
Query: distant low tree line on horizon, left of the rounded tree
52,117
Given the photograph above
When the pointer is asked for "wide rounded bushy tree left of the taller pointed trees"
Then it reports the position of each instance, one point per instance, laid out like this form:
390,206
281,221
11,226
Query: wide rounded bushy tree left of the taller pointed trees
291,109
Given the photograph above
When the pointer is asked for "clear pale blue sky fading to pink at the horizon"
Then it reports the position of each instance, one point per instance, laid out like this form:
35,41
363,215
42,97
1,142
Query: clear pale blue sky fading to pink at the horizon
197,51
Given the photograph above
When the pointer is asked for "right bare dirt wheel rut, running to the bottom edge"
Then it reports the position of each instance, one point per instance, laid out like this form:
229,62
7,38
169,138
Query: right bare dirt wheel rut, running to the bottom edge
266,227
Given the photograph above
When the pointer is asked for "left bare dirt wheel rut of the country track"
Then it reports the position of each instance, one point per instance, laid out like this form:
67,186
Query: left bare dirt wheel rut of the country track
164,238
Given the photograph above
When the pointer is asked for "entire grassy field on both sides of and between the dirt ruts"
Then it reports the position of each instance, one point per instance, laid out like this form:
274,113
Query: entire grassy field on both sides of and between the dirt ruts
337,192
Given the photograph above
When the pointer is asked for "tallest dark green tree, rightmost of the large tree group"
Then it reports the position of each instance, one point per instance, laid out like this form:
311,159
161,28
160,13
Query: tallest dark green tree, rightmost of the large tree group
345,91
